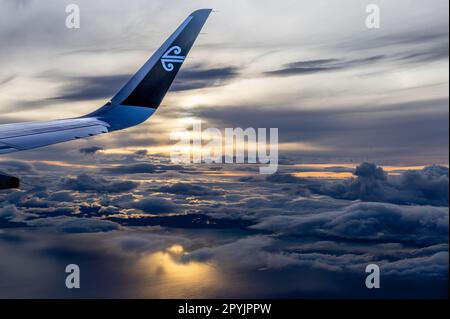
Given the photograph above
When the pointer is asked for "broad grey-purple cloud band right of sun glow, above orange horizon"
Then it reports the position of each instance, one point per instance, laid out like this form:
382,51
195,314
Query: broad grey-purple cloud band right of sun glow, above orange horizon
396,131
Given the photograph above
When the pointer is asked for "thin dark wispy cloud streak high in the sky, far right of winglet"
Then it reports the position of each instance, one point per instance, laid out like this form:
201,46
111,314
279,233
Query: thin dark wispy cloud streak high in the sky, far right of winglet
323,65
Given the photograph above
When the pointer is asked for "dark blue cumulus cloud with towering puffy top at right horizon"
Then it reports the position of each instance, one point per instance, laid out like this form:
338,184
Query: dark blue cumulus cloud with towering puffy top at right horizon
428,186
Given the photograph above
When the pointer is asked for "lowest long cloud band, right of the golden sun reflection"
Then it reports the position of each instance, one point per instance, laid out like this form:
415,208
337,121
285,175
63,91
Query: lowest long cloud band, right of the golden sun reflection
265,253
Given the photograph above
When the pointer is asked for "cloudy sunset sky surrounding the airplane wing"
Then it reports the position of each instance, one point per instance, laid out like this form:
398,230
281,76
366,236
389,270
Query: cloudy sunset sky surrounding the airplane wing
362,116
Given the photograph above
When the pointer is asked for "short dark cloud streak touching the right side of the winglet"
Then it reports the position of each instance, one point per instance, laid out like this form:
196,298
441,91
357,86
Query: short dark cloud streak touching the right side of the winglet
198,77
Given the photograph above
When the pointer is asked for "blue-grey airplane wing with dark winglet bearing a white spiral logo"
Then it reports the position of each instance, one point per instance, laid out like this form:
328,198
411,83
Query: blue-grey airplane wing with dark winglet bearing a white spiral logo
132,105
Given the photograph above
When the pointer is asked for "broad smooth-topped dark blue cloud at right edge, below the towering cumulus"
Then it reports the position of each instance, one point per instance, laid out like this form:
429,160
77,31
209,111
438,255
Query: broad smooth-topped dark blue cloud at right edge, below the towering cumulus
378,222
